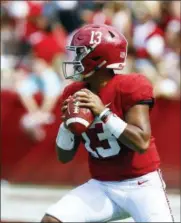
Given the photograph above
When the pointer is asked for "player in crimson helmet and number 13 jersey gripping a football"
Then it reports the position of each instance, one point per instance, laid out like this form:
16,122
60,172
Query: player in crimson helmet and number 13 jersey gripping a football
123,160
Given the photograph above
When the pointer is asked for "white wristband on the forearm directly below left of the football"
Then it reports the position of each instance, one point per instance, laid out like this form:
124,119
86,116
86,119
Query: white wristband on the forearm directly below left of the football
65,138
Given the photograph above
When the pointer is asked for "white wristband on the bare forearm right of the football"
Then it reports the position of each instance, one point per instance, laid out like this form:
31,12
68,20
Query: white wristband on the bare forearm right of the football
115,125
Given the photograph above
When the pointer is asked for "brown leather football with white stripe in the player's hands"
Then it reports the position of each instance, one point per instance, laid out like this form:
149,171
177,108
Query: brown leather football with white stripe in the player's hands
78,119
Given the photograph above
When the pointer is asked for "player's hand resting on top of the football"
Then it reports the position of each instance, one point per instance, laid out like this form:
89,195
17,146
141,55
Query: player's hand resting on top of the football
89,100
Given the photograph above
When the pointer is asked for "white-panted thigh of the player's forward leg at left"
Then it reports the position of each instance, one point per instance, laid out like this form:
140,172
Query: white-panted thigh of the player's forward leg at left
86,203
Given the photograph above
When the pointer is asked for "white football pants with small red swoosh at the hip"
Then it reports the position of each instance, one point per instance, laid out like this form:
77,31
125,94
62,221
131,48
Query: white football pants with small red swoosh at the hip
142,198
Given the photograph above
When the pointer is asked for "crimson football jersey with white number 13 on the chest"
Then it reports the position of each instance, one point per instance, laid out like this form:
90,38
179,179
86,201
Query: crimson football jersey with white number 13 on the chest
109,159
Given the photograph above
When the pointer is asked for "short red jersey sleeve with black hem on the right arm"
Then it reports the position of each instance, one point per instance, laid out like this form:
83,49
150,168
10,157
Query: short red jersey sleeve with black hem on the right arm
137,90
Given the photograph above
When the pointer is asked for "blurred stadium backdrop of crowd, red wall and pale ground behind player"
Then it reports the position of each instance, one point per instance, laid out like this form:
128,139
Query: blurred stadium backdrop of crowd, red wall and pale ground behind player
33,39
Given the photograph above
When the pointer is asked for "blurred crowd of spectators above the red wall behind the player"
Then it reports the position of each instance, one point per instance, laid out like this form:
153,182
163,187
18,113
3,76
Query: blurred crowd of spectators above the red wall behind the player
34,35
